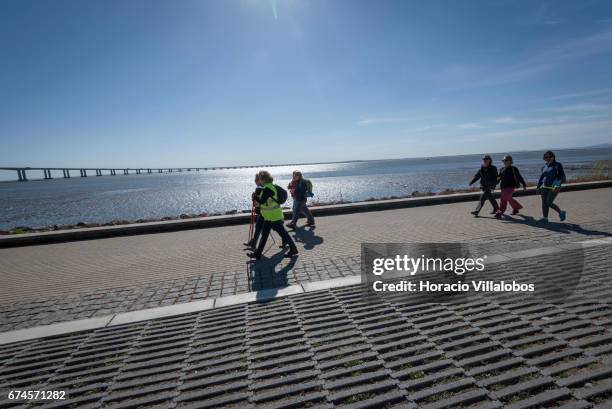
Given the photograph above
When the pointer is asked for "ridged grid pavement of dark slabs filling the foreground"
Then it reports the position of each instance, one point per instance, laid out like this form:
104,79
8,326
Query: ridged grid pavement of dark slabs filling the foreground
337,348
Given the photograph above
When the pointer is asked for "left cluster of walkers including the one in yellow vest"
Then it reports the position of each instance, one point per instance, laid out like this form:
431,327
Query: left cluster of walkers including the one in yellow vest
267,212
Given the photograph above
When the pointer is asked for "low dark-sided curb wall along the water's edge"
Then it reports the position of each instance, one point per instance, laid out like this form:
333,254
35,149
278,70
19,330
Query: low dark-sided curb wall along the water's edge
243,218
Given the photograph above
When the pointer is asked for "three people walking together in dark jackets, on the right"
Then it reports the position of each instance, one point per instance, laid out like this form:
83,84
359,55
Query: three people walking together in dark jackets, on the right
510,179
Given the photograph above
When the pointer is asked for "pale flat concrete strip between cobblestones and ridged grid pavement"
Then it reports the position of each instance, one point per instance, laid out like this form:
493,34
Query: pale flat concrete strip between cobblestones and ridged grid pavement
130,317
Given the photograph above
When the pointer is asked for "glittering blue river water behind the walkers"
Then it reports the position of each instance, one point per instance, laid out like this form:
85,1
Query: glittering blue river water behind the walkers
153,196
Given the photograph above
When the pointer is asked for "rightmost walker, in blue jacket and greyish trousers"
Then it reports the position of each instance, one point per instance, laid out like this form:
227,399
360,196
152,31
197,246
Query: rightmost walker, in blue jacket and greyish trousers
549,185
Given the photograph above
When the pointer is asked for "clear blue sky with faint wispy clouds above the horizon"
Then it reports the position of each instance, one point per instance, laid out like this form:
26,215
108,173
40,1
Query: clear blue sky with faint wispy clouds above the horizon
204,83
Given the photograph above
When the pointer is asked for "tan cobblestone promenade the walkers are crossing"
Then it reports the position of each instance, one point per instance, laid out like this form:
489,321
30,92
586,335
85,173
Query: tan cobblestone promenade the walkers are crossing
59,282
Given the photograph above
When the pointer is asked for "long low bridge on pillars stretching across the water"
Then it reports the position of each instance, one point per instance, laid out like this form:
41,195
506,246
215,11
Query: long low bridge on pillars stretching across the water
22,175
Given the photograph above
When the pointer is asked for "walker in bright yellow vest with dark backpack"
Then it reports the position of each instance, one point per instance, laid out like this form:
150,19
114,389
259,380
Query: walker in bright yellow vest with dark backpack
269,201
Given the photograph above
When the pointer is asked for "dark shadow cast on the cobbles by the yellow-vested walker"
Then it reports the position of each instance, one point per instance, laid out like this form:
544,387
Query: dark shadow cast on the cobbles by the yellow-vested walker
263,276
